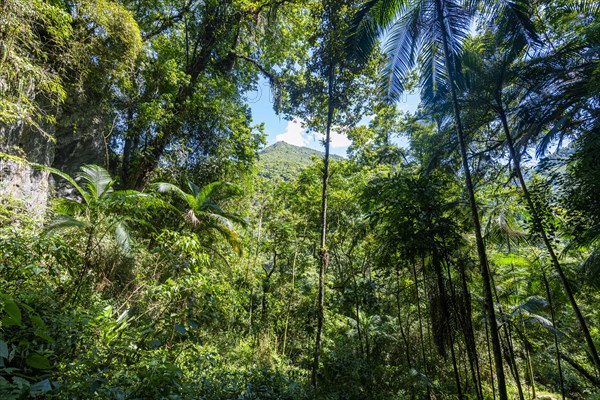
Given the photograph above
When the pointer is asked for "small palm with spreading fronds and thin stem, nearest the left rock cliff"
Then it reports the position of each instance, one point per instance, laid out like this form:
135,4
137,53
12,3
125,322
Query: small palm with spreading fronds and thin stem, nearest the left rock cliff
93,213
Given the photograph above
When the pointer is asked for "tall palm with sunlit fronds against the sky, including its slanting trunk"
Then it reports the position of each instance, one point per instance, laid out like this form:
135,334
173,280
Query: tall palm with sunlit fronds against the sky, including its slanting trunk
429,34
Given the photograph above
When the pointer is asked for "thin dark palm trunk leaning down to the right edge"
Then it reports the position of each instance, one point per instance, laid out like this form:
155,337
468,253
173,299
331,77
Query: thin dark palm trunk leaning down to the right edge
539,227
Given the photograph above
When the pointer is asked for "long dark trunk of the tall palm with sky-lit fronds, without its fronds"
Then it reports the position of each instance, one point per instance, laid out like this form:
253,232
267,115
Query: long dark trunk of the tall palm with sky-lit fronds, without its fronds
483,262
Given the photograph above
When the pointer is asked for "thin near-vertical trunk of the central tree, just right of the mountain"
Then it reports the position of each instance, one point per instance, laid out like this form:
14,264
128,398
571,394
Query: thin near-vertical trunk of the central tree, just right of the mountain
323,252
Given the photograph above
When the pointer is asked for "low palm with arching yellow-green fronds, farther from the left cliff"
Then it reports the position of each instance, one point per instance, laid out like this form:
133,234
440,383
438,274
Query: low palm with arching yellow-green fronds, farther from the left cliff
202,213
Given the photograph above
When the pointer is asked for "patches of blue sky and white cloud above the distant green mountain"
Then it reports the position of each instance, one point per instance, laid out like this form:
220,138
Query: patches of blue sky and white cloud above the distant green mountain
279,129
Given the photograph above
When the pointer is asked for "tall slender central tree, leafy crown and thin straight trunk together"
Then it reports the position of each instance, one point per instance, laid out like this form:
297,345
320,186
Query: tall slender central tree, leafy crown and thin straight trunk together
331,93
